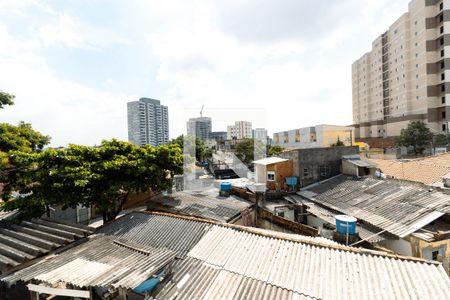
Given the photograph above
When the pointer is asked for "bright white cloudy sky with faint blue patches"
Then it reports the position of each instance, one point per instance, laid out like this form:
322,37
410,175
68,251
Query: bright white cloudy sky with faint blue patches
282,64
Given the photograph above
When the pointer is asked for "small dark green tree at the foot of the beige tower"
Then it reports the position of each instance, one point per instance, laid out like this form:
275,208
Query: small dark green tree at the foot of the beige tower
416,135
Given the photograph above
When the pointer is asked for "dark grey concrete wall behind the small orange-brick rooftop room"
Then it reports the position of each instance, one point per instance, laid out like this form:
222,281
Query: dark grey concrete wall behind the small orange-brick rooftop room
312,165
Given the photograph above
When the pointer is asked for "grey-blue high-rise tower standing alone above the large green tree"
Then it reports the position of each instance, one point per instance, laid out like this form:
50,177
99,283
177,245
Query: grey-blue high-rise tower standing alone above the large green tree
148,122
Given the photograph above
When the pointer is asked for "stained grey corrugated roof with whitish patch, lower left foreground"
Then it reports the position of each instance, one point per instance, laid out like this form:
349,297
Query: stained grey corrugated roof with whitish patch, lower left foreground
100,262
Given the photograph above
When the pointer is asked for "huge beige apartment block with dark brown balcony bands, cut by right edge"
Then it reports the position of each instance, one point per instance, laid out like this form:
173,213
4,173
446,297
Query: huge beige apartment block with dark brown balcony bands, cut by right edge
405,77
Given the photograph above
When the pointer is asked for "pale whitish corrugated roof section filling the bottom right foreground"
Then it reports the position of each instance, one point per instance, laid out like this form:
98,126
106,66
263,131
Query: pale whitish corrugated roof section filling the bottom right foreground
234,264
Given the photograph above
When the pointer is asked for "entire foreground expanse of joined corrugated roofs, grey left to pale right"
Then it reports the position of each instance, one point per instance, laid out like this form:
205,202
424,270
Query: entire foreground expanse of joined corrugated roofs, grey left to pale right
218,259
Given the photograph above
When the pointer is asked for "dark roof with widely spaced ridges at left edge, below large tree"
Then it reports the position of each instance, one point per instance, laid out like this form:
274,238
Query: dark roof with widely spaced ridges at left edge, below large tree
31,239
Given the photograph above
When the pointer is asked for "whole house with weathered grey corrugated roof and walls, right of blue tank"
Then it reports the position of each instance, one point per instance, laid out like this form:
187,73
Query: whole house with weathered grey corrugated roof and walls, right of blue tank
407,218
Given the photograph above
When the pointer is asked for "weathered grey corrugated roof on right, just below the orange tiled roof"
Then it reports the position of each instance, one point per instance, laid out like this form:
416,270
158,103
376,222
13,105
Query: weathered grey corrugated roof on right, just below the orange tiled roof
400,208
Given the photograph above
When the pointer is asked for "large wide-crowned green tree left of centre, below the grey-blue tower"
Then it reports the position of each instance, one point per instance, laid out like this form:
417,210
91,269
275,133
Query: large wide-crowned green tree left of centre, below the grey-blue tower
101,176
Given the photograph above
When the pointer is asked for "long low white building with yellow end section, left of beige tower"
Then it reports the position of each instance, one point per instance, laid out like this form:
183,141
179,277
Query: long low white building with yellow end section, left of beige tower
313,137
